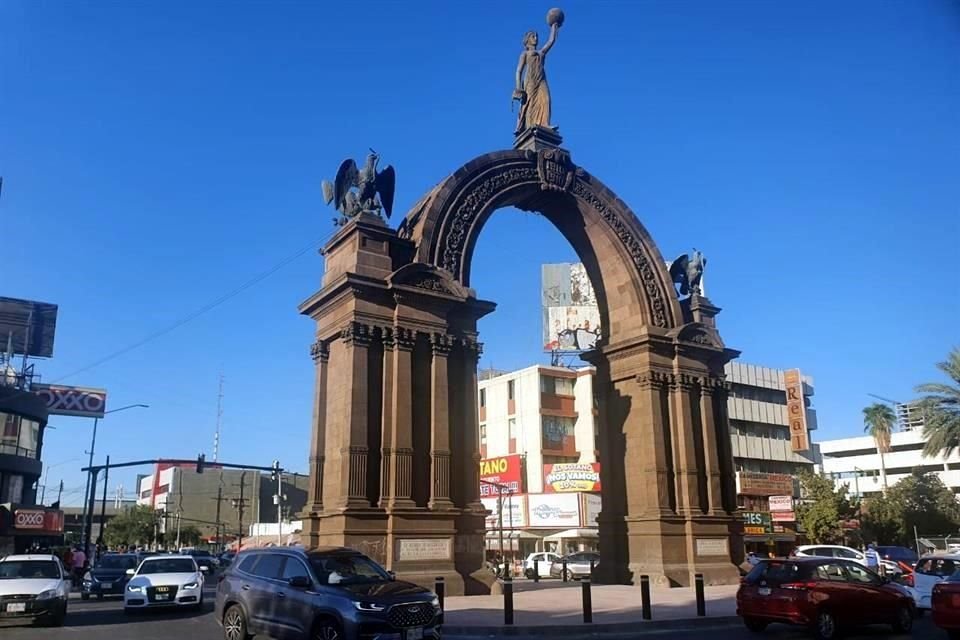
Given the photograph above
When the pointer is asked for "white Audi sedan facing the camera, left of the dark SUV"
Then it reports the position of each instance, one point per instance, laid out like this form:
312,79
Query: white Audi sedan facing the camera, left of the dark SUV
164,581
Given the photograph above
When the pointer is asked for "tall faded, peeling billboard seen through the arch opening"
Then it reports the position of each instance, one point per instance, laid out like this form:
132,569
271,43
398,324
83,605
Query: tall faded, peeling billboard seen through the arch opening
571,317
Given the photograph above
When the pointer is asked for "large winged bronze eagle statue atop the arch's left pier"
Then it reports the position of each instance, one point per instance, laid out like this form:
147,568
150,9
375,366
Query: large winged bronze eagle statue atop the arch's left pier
367,190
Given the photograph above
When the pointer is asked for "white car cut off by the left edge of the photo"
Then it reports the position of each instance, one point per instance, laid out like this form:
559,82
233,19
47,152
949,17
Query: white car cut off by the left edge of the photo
34,587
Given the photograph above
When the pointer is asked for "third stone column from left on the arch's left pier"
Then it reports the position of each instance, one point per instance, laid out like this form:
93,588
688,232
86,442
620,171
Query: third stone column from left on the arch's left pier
401,444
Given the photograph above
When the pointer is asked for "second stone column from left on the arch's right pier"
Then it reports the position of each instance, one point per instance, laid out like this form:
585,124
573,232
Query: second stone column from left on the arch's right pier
684,451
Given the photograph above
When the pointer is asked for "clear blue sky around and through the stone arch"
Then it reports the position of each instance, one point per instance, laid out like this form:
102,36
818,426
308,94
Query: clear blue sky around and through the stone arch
159,155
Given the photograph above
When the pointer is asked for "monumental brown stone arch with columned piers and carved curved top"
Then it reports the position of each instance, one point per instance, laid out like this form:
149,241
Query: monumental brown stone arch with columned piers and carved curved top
395,446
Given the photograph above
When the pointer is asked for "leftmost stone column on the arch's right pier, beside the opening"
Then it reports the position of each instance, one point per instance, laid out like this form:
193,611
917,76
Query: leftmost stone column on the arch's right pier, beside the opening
655,472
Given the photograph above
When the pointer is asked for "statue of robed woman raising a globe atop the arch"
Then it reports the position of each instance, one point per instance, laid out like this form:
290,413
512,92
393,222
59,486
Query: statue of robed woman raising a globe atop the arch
531,88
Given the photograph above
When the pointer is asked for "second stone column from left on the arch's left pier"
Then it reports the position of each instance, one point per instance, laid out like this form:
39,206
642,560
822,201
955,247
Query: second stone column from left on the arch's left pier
354,448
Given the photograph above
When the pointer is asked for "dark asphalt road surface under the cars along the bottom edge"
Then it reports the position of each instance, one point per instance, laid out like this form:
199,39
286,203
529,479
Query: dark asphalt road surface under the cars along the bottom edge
99,620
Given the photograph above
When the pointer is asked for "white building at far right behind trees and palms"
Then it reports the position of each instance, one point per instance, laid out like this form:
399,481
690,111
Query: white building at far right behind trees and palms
855,462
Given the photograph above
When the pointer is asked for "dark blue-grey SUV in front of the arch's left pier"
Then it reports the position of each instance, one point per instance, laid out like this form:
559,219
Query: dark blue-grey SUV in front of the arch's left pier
321,594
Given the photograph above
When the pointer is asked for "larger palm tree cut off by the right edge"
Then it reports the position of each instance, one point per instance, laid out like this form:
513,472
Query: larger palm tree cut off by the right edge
941,409
